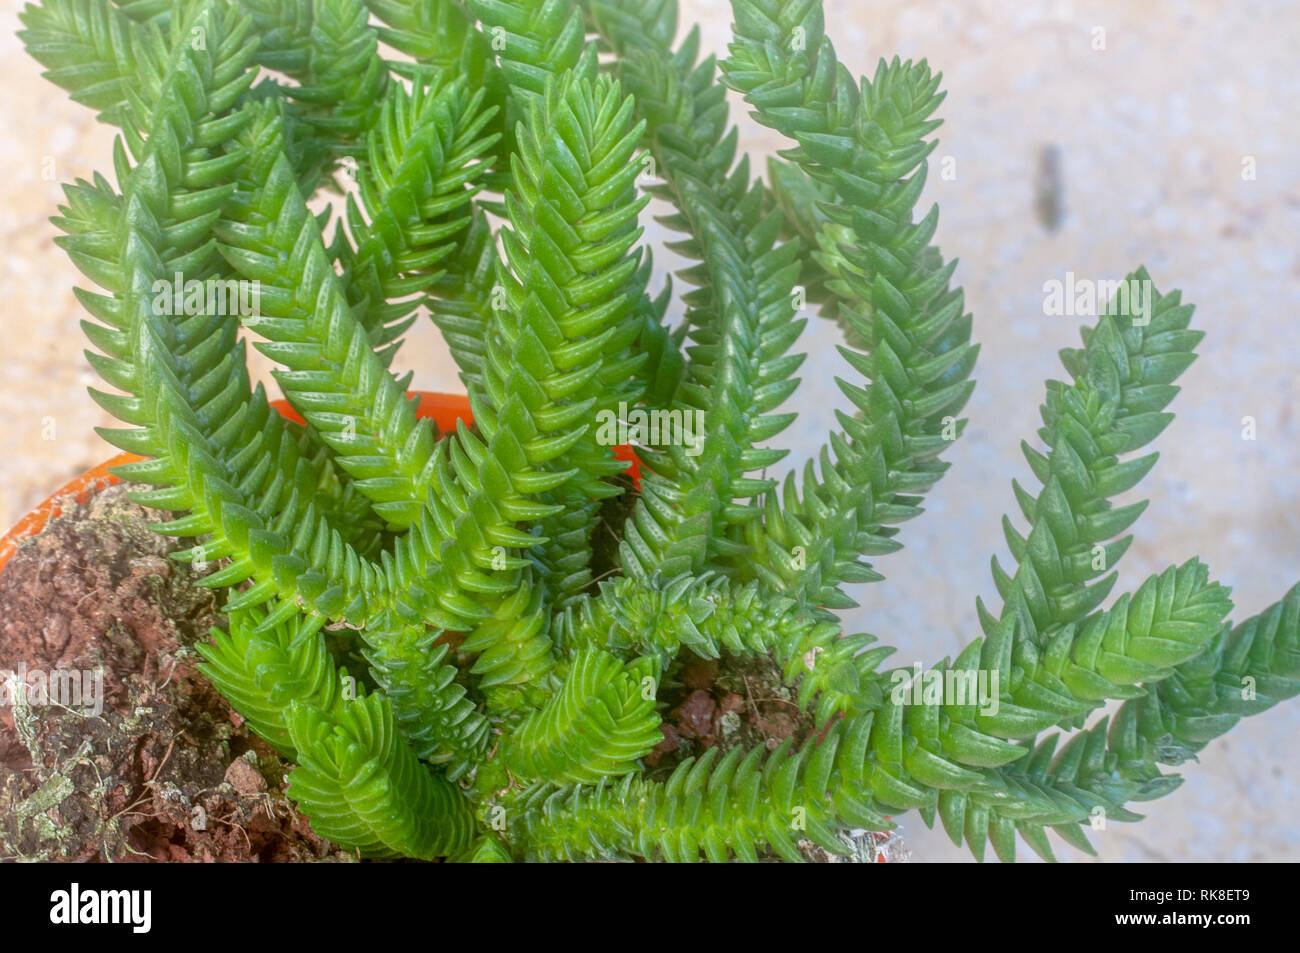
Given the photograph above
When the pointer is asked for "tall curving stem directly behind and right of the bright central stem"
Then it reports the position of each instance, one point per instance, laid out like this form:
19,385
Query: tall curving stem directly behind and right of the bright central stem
742,318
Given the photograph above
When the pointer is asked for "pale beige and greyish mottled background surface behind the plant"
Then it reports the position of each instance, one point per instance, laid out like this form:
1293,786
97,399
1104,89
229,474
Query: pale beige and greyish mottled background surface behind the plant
1154,132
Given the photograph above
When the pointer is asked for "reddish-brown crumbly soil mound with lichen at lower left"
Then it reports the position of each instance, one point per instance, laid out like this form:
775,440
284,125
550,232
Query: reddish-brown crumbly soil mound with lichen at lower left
166,770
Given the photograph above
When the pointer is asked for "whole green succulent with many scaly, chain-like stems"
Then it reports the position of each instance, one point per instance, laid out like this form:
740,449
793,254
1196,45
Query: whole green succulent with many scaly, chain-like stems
462,638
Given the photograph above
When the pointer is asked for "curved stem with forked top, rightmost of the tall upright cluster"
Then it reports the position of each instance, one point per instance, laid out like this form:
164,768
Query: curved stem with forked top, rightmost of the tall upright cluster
864,149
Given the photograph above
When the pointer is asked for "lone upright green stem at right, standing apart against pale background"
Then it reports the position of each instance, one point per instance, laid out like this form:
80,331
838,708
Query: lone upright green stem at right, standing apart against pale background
1115,406
